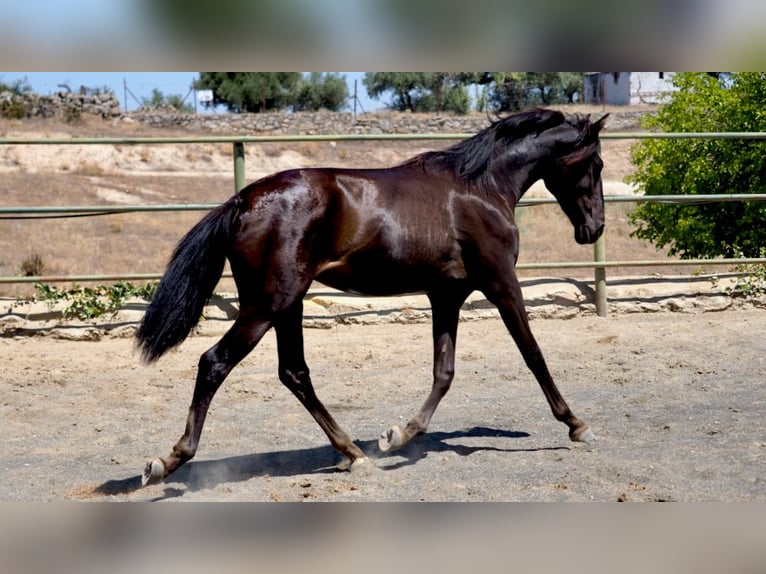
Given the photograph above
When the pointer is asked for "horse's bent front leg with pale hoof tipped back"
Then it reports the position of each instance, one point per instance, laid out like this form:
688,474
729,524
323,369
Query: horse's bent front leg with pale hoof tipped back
445,311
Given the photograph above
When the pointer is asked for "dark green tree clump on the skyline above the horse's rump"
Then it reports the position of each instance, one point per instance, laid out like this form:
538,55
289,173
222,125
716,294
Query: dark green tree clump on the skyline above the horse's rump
274,91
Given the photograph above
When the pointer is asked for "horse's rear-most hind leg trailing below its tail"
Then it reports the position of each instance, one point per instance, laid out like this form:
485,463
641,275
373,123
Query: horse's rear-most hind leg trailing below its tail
214,366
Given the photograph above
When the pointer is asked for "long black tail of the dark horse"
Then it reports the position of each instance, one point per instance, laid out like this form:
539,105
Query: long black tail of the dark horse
191,275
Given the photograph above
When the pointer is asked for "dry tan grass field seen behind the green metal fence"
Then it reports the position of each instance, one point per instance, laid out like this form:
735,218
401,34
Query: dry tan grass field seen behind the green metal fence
142,242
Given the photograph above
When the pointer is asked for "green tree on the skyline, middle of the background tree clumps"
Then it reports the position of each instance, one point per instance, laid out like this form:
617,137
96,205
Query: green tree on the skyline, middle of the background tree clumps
421,91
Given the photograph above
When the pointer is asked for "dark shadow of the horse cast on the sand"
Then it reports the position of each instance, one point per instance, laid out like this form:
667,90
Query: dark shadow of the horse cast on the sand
203,474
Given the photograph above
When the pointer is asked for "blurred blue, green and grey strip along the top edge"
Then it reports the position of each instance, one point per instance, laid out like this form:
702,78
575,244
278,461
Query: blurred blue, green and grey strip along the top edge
384,34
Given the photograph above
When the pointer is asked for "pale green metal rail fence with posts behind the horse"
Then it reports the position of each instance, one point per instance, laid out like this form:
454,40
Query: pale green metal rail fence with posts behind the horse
599,263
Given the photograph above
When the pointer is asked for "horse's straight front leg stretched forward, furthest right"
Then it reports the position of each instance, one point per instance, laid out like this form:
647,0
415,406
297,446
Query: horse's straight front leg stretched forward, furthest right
510,302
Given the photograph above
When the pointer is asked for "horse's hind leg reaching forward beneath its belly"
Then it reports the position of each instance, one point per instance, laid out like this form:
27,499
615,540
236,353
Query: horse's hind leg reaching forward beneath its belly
294,374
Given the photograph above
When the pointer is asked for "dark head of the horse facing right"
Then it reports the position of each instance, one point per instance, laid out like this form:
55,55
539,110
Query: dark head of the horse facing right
574,178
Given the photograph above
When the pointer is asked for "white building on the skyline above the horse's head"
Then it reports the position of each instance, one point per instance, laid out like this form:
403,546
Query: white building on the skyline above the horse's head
623,88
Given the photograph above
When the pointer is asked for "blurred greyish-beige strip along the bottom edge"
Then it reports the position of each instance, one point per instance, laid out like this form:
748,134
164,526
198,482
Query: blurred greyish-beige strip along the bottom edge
382,538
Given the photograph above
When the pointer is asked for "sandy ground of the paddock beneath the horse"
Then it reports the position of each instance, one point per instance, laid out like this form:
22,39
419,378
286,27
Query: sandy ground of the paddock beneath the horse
675,398
